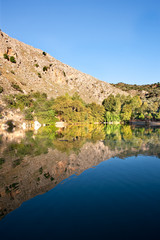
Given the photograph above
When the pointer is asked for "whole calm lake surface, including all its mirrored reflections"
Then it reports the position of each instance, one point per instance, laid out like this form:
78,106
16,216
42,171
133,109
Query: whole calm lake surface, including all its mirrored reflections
90,182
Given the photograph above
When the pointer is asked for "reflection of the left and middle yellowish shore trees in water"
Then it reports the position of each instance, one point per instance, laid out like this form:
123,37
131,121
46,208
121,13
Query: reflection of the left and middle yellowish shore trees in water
71,138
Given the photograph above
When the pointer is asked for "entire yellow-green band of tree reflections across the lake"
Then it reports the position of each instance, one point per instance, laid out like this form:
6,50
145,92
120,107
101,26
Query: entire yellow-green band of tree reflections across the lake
116,137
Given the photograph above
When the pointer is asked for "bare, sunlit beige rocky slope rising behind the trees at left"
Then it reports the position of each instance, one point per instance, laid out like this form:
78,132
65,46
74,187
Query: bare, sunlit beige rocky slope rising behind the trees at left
35,70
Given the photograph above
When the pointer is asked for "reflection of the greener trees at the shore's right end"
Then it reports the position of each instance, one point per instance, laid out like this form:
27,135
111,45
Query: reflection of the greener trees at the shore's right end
129,140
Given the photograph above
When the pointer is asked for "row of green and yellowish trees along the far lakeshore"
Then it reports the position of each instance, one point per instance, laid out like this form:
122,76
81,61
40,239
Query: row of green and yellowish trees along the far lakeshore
72,109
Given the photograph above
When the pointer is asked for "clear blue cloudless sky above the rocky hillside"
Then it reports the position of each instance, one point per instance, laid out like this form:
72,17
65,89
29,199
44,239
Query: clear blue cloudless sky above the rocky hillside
113,40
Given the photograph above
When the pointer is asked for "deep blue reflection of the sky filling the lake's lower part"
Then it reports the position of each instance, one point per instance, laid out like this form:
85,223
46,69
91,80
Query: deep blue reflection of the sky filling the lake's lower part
116,200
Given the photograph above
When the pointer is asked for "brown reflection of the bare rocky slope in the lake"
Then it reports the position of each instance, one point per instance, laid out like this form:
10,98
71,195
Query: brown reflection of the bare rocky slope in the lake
36,175
